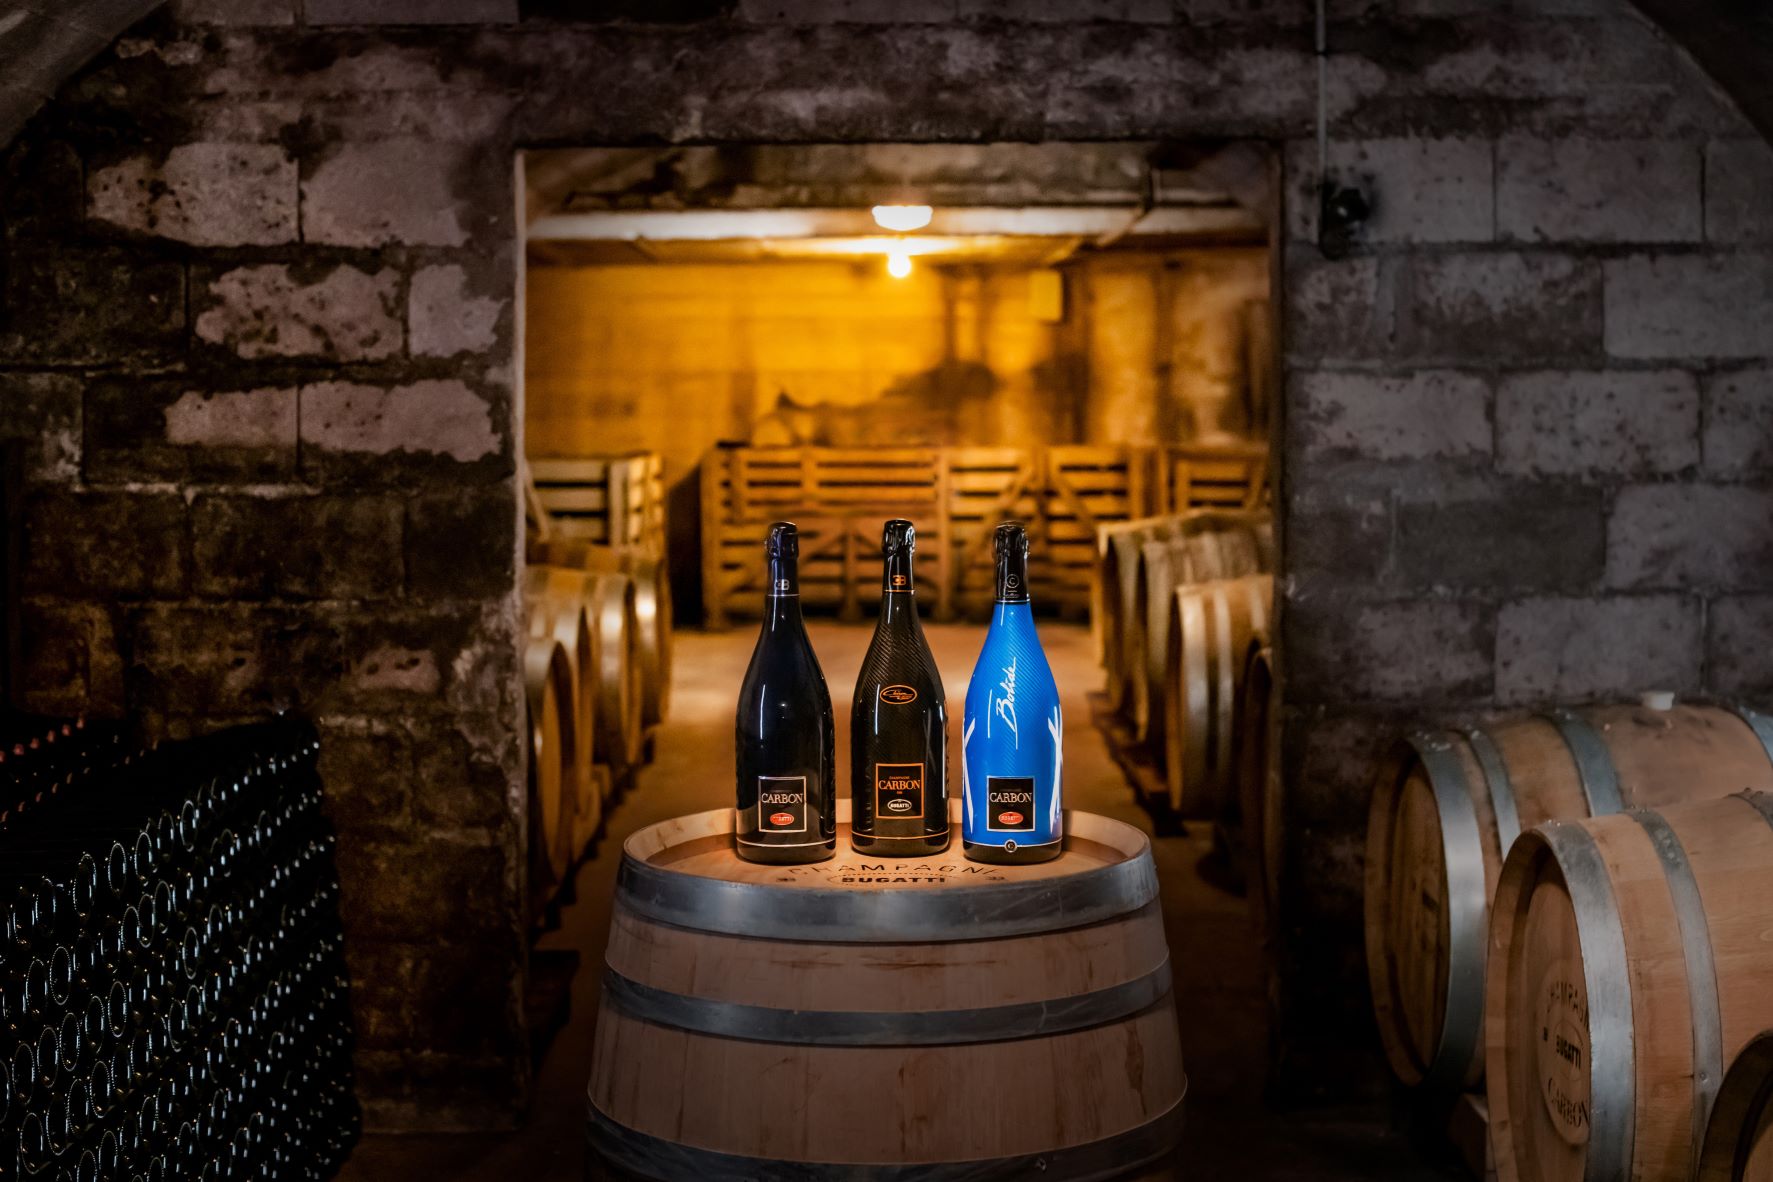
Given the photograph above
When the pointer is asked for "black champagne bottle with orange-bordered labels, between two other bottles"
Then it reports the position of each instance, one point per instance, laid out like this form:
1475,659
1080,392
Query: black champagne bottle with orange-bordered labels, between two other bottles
900,722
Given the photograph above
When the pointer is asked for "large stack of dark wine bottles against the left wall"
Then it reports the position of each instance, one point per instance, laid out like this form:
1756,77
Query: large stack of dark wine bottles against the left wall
173,990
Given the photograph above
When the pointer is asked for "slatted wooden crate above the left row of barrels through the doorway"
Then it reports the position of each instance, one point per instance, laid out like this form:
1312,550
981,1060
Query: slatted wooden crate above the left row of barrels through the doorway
613,501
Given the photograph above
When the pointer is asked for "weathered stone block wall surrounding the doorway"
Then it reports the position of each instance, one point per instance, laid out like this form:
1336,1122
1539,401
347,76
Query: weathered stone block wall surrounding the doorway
251,267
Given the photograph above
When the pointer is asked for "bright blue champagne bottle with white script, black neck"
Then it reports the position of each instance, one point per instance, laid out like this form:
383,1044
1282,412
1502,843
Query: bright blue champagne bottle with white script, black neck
1013,733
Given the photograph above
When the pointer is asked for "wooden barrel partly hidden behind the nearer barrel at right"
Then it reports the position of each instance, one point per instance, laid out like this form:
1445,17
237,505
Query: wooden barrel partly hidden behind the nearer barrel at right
1446,811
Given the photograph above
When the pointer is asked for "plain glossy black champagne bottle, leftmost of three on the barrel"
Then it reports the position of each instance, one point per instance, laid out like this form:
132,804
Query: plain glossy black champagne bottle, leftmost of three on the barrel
786,743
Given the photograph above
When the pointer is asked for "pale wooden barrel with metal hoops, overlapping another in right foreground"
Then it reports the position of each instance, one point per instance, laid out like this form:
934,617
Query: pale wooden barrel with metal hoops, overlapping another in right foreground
1630,961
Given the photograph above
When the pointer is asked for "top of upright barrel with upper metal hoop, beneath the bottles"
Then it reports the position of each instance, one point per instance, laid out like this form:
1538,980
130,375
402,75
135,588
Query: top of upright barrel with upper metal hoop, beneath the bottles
685,873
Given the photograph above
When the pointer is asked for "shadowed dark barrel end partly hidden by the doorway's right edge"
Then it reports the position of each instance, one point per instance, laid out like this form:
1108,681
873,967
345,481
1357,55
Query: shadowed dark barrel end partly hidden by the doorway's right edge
1256,758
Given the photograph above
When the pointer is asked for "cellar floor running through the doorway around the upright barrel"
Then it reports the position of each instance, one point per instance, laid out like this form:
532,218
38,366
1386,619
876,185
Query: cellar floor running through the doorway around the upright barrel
1219,986
